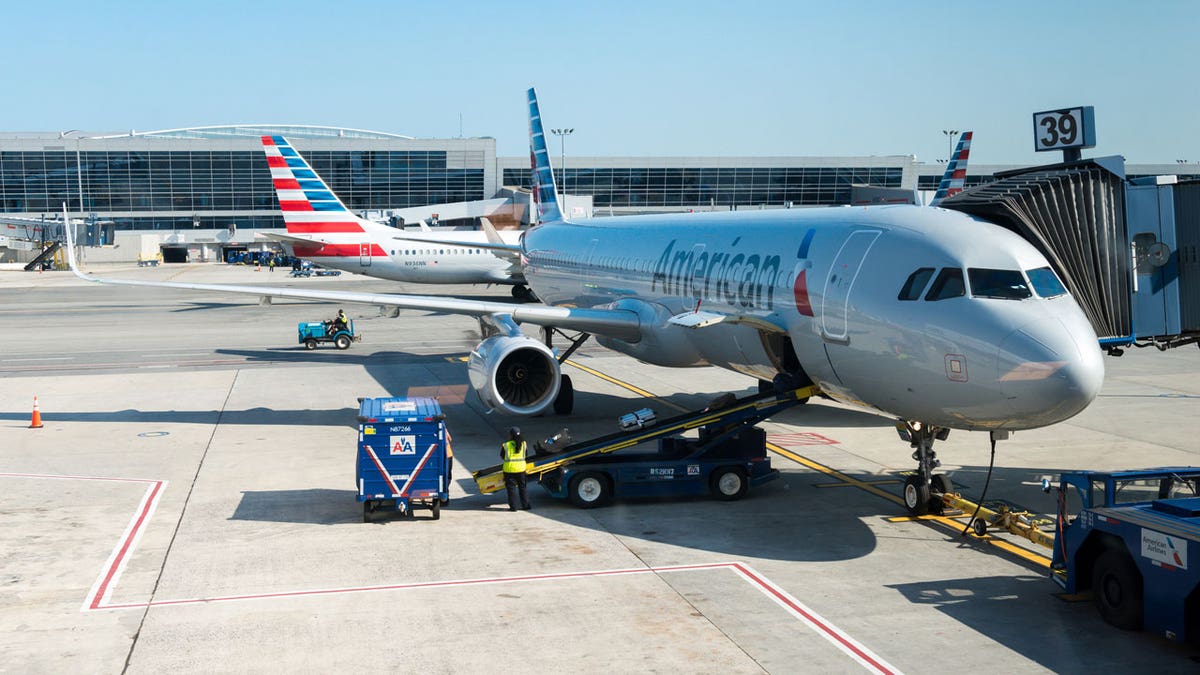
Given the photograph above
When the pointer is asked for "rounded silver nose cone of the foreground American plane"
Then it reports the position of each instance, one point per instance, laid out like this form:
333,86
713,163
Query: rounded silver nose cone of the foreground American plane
1051,371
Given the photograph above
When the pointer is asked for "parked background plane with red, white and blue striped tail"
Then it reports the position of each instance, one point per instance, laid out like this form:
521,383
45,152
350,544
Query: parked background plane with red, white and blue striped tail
322,230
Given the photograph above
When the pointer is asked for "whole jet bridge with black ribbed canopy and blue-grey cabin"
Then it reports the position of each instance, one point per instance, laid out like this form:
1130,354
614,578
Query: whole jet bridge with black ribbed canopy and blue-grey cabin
1126,250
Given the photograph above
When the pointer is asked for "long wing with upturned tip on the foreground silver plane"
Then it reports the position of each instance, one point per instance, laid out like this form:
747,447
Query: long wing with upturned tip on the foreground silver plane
617,324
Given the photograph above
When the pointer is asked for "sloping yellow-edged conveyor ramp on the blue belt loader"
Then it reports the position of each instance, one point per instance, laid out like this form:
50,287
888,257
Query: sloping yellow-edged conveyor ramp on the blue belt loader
742,413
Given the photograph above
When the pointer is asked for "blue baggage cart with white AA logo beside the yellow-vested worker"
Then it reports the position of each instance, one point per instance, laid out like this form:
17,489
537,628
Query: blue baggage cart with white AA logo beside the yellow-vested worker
405,457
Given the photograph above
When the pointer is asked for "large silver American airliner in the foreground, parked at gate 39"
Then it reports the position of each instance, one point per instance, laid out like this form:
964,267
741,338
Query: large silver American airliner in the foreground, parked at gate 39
929,316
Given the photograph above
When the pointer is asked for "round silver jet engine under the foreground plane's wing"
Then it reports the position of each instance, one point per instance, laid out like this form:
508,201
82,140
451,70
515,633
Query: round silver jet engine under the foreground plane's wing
517,375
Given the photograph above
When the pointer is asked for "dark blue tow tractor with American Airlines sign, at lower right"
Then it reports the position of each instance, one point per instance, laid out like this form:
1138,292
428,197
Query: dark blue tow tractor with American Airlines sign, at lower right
1130,546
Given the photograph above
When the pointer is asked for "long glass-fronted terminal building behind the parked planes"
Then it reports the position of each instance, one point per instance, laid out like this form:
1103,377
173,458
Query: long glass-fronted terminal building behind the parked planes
197,193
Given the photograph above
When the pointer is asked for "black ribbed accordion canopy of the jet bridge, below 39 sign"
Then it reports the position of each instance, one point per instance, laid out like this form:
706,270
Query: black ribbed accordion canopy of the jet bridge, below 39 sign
1076,216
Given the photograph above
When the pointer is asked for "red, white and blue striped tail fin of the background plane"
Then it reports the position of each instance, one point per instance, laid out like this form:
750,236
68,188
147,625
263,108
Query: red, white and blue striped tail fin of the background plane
309,206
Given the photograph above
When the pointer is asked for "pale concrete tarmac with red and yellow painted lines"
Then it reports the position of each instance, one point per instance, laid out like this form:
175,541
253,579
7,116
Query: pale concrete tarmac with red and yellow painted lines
189,506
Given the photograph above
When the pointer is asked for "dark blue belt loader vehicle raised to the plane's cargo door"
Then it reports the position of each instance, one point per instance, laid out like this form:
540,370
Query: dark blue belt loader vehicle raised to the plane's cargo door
727,461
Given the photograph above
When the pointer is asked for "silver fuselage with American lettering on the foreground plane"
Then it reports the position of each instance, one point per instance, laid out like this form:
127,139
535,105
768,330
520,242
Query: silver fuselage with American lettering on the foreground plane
830,280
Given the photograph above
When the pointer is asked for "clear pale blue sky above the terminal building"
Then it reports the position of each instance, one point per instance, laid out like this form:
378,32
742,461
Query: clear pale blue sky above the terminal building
634,79
